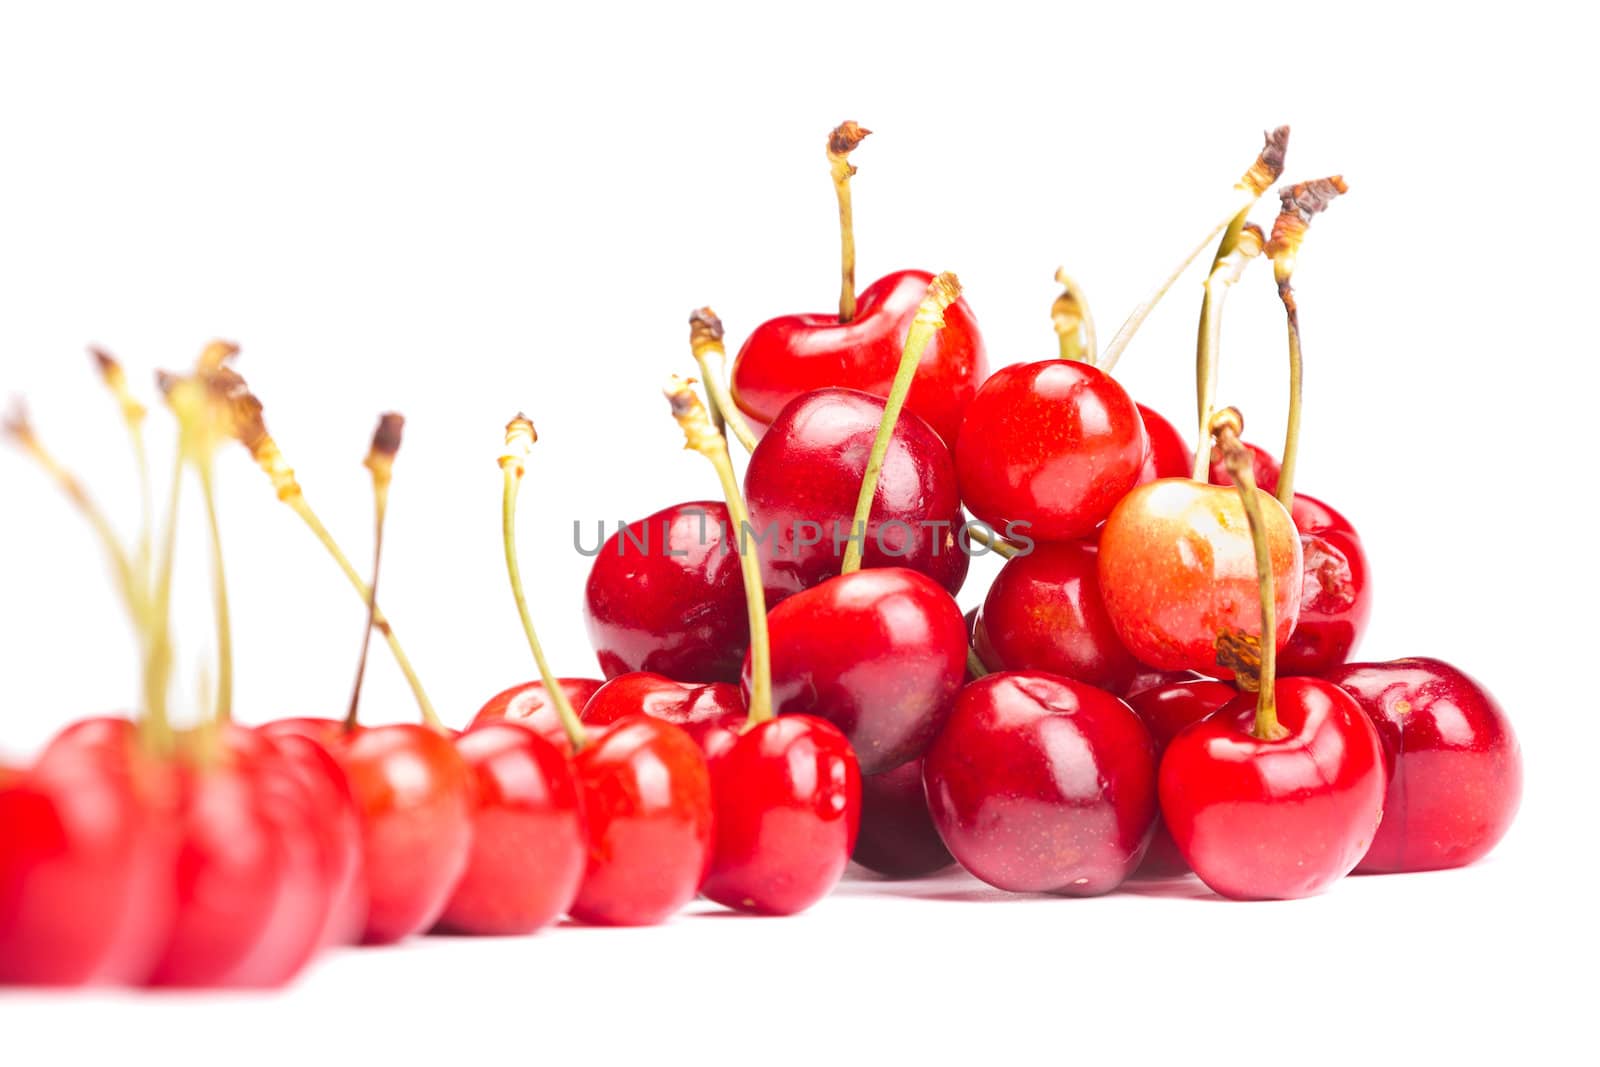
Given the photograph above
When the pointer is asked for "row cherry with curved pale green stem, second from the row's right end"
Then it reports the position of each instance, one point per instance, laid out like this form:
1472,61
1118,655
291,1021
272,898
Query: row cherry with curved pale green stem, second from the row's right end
642,783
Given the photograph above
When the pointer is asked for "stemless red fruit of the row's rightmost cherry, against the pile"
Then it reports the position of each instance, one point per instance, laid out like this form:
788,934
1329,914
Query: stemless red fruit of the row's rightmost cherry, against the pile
788,810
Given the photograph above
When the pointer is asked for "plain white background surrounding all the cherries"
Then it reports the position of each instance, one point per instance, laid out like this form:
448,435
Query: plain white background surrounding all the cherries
465,210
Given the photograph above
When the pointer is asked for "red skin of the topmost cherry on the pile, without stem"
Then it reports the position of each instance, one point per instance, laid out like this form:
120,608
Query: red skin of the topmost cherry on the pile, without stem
796,354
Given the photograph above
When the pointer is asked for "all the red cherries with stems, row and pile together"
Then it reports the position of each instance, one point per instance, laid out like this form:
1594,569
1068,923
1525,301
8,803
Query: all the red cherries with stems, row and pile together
790,682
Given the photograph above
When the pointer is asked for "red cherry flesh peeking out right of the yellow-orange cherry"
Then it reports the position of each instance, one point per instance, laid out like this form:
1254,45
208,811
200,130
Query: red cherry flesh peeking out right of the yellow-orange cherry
1337,593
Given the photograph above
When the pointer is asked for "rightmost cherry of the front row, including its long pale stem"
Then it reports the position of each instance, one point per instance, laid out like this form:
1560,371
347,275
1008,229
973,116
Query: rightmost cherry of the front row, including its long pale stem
788,791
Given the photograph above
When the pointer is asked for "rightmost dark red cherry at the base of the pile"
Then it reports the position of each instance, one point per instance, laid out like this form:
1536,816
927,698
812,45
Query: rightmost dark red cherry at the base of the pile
1454,765
